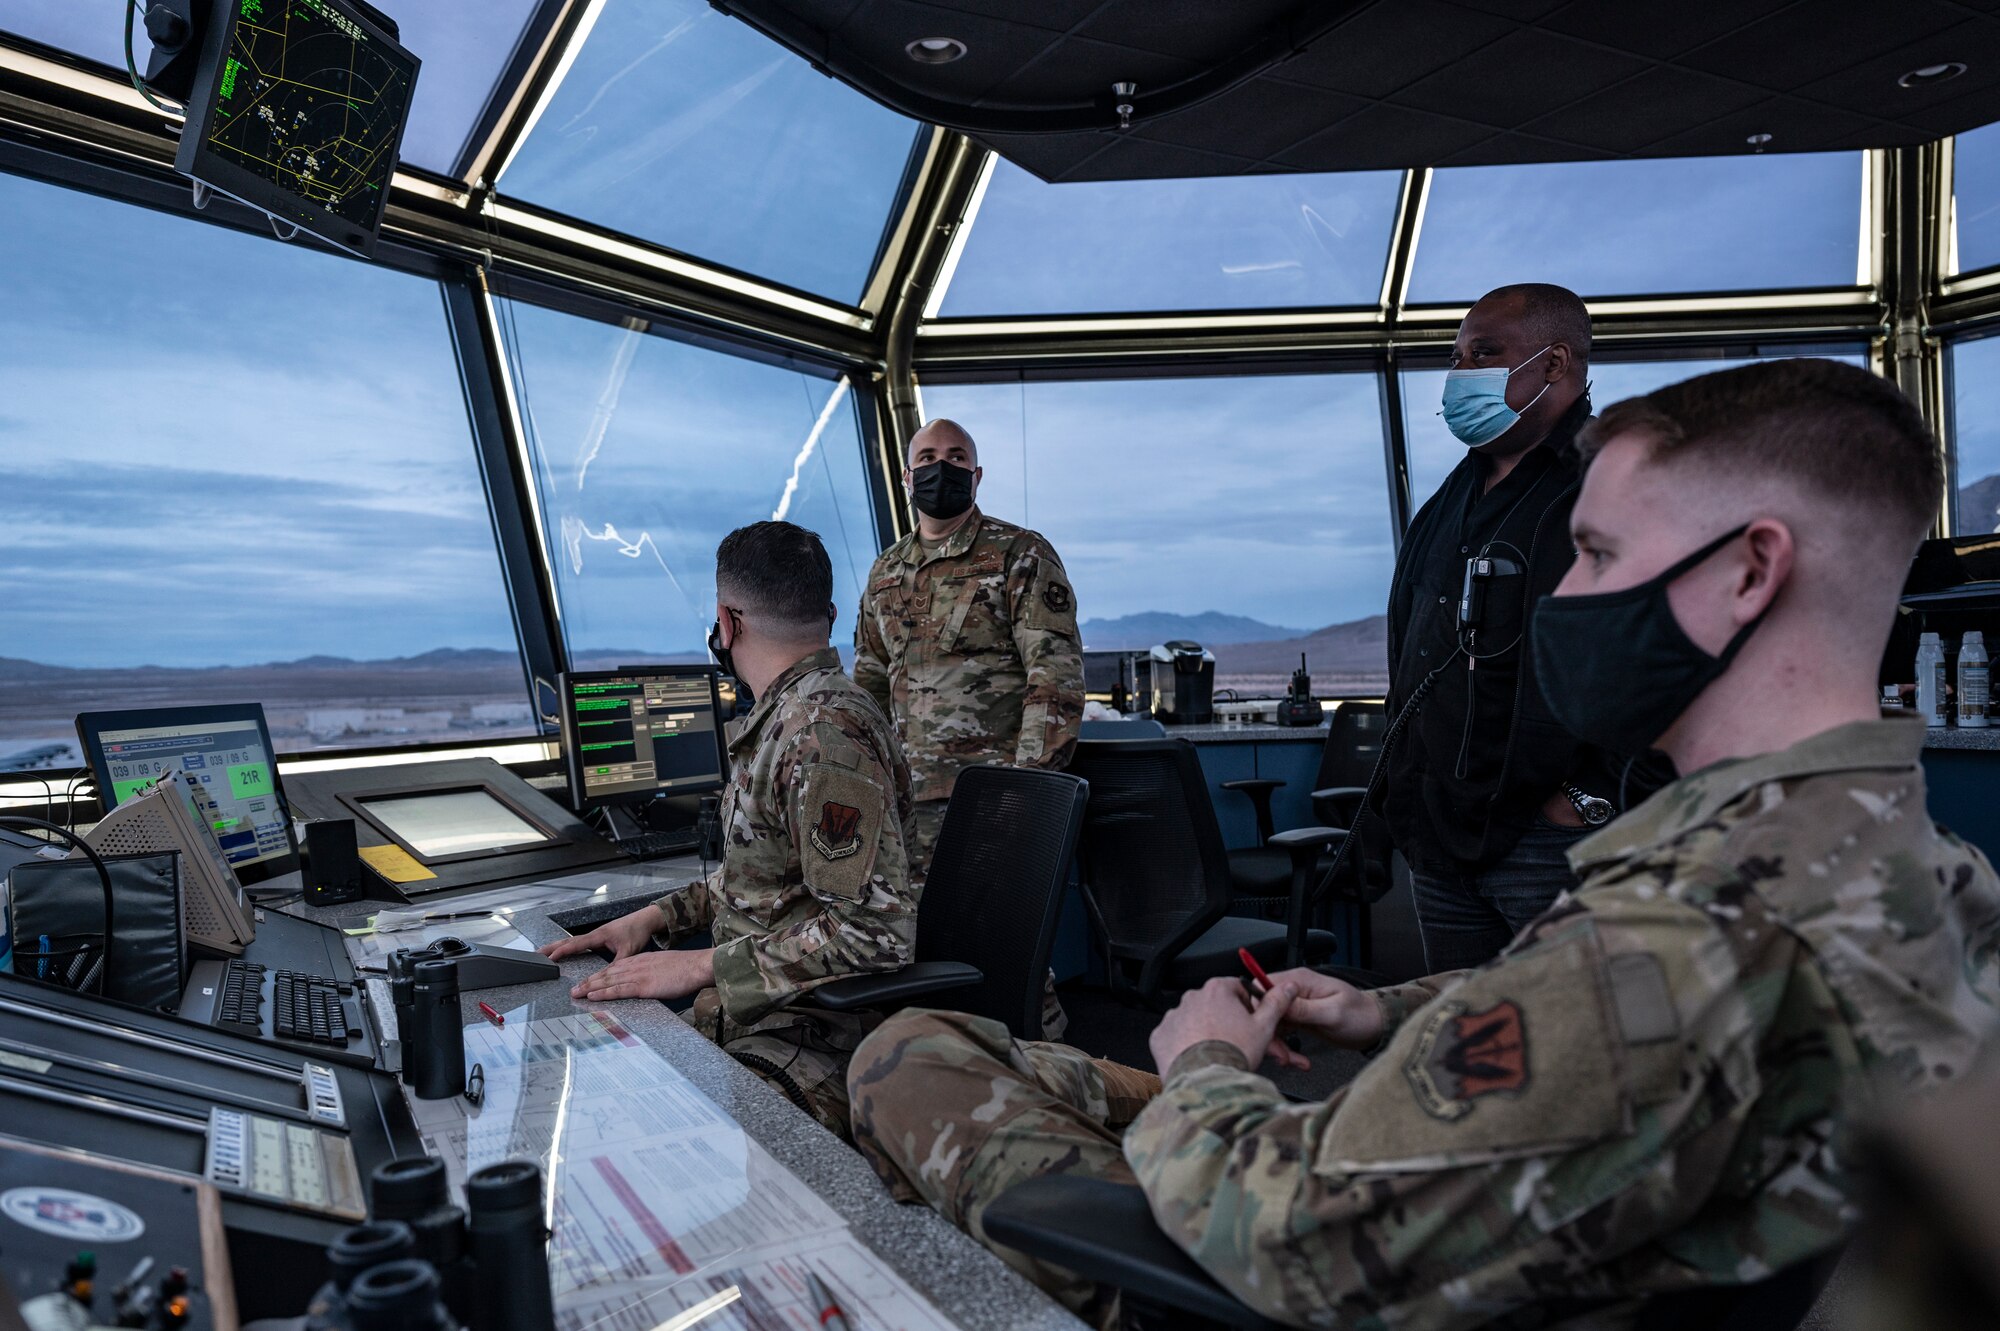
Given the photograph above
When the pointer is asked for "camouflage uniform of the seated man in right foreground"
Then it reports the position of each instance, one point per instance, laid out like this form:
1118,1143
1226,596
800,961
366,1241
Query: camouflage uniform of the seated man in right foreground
1641,1094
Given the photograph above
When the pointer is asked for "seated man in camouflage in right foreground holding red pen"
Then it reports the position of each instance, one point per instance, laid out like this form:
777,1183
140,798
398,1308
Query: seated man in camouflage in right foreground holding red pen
1647,1090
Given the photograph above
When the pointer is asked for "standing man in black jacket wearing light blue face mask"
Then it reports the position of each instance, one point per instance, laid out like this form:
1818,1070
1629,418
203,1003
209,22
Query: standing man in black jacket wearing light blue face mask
1485,792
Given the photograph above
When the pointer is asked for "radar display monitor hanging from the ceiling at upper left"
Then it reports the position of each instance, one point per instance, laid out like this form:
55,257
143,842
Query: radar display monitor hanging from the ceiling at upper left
299,111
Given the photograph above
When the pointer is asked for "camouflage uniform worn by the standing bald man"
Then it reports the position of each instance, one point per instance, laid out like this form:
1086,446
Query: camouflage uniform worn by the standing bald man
973,653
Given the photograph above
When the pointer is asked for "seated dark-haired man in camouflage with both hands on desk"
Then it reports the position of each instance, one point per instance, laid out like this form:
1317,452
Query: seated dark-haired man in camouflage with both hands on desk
815,880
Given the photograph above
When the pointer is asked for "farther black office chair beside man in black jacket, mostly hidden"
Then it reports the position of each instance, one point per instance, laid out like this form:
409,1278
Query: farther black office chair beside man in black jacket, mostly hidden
1265,872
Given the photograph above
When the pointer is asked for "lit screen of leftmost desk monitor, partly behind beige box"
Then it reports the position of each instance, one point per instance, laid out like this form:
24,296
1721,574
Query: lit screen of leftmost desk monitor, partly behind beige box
227,772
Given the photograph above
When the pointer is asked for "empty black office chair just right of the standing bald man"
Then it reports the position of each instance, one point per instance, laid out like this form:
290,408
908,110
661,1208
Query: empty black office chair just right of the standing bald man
1157,878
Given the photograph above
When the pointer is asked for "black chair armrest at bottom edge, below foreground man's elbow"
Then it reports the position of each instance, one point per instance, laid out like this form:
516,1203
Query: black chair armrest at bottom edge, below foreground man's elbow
1105,1232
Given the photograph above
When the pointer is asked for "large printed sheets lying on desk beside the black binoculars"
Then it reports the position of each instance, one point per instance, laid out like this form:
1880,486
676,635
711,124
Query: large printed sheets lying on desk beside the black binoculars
661,1204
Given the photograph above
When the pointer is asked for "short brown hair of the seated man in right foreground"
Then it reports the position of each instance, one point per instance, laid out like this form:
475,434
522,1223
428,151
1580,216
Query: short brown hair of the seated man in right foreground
1835,431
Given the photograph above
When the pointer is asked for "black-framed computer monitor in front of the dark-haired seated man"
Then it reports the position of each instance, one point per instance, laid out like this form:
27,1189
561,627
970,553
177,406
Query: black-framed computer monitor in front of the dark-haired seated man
641,732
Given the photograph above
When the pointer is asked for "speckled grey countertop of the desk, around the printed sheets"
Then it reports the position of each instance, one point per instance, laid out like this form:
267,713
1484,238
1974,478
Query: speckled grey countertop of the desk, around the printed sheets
931,1254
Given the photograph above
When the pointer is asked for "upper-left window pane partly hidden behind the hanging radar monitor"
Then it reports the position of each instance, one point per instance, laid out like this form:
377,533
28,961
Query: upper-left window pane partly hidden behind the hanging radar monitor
465,47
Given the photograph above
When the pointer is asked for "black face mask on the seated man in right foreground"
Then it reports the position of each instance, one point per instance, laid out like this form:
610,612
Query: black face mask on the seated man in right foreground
1617,668
